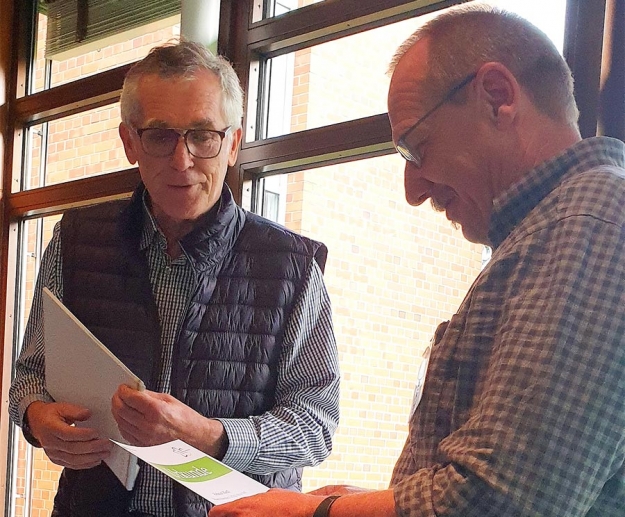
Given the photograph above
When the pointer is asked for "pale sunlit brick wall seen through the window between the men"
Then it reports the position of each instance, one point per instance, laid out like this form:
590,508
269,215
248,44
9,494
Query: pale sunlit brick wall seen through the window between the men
394,272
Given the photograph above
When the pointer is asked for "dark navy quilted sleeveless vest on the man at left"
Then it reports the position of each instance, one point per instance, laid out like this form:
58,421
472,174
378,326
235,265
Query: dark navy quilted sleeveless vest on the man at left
249,274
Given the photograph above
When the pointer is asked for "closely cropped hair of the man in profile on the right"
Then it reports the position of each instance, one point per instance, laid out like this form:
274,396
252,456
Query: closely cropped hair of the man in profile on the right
464,38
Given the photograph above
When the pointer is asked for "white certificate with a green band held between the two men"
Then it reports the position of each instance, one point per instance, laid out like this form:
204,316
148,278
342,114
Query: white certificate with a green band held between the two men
197,471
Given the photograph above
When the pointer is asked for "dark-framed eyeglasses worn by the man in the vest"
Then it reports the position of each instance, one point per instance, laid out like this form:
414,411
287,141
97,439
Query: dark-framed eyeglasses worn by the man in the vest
201,143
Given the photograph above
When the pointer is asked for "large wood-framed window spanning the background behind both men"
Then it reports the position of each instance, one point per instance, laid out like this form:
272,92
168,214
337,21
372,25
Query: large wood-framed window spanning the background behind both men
316,157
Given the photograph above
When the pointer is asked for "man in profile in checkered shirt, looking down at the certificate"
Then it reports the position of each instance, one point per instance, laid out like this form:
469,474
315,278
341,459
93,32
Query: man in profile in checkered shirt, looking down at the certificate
523,408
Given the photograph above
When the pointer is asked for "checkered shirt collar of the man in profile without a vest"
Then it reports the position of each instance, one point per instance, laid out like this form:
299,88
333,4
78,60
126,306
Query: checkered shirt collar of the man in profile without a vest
511,207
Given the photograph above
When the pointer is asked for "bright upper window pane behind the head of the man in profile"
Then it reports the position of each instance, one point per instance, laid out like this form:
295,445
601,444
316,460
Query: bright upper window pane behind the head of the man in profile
346,79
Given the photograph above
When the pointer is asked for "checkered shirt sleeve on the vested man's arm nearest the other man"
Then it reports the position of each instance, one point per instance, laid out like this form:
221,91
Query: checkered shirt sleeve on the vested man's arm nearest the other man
298,430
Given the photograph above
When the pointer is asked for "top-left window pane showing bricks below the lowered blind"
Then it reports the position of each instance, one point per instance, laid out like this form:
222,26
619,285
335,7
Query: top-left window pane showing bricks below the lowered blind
130,47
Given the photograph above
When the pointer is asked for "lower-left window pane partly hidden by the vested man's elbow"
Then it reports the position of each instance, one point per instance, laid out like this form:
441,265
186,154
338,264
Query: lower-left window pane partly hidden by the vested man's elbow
35,478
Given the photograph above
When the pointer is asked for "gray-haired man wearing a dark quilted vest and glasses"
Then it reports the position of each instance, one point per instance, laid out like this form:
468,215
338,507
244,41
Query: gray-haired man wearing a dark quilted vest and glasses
223,314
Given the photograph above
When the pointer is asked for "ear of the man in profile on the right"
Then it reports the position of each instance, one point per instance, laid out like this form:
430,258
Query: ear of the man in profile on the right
501,91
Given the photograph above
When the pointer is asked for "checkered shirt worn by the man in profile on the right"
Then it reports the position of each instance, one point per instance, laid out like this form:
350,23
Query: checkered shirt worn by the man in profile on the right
523,409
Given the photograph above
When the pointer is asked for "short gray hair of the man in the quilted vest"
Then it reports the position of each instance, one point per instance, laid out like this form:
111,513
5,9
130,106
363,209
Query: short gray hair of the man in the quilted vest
183,59
